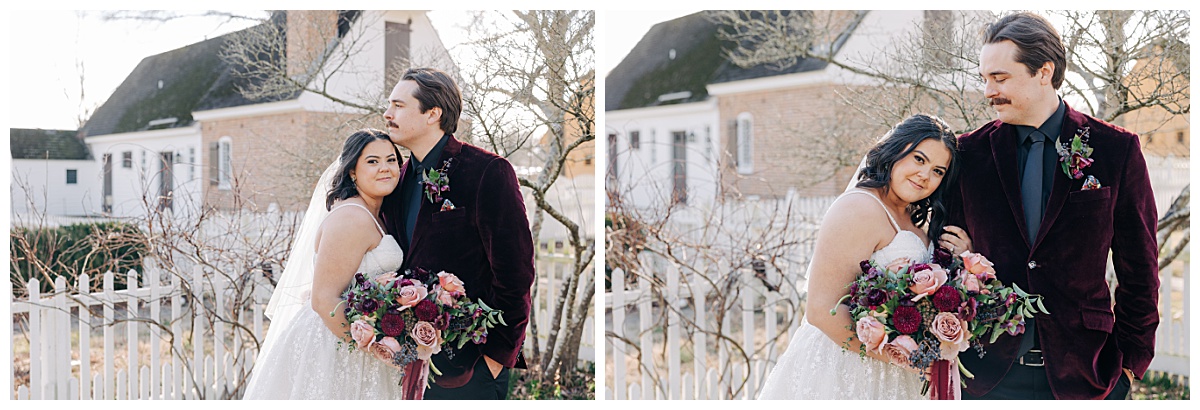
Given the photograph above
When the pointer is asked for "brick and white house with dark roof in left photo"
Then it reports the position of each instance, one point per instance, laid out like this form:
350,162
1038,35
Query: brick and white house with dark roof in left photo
179,135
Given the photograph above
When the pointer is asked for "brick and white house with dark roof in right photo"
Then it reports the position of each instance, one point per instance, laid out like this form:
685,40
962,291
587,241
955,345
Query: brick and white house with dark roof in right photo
685,125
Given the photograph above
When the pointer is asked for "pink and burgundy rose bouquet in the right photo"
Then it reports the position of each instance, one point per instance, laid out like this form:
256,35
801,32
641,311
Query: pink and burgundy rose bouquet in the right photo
925,315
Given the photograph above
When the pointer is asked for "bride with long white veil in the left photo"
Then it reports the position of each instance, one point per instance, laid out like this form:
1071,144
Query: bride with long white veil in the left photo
305,357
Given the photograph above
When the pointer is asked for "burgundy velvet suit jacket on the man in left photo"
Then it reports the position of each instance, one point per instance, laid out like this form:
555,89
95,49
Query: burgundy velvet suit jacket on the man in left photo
485,242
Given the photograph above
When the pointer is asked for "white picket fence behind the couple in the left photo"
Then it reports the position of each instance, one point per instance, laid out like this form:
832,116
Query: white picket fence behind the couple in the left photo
61,370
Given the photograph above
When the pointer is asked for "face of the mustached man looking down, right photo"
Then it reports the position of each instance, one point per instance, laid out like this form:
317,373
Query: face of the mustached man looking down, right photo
1011,91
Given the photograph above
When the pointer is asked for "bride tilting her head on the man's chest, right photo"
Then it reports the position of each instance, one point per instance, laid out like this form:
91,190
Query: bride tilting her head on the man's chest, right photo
898,192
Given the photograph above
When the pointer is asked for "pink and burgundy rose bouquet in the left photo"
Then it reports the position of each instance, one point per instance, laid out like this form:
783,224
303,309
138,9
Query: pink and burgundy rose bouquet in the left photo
406,319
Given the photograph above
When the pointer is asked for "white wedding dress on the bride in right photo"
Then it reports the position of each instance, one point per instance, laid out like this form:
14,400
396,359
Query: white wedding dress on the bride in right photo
817,367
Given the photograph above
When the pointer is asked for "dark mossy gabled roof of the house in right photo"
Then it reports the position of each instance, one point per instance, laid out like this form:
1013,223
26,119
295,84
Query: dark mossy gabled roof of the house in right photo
650,71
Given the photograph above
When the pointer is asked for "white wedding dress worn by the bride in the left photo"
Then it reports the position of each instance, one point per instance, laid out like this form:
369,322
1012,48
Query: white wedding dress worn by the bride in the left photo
303,360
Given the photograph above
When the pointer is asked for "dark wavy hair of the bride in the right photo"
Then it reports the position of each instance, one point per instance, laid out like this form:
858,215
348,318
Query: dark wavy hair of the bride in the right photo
902,141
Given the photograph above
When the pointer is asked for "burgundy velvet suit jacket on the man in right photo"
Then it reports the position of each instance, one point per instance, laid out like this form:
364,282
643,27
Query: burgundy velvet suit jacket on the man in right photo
1087,340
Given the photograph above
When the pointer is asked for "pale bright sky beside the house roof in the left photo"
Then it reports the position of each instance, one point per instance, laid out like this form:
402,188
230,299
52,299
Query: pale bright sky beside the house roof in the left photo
45,75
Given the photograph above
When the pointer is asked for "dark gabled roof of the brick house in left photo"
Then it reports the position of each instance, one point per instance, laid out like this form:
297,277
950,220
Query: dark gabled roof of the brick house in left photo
178,83
